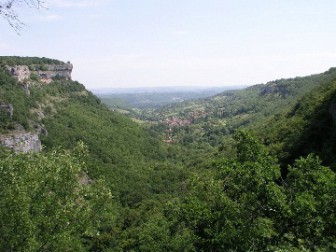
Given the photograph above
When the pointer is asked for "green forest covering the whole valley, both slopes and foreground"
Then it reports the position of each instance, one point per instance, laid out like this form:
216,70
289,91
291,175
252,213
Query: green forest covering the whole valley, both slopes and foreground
252,170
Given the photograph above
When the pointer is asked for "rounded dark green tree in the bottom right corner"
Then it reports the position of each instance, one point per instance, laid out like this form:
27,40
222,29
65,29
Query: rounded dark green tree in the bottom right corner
311,220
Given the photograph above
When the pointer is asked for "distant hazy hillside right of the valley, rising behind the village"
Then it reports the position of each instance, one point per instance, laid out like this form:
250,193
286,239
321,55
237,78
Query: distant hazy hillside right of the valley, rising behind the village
228,111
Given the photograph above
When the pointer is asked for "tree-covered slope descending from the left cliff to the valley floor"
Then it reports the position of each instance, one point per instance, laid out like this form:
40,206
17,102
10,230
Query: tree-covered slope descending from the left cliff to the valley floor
131,161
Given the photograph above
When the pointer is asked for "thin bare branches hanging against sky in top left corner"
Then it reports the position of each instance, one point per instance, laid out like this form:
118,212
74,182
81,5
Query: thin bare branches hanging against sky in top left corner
9,13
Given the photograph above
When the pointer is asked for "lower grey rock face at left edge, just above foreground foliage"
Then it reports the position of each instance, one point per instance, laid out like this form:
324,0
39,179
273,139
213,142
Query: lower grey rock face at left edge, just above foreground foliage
22,142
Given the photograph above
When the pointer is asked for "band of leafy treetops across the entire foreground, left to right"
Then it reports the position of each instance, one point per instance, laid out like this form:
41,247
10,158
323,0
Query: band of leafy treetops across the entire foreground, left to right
243,204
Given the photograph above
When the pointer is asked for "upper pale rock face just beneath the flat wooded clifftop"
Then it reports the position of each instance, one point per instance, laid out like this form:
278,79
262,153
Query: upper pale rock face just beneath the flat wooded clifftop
46,73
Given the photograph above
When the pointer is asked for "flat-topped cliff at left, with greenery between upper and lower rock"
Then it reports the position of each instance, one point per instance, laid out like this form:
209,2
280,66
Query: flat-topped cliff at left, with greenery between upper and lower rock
20,118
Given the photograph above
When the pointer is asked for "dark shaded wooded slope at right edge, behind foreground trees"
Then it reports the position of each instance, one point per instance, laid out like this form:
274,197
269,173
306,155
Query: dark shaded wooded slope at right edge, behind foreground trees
306,127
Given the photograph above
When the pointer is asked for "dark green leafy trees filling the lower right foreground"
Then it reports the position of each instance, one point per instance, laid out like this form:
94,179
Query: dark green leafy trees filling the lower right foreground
247,206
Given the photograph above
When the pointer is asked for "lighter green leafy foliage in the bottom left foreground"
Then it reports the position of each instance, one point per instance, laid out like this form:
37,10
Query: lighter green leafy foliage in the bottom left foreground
43,204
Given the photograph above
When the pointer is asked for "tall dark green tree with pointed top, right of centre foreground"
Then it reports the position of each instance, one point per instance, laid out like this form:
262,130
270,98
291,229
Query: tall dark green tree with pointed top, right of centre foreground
240,207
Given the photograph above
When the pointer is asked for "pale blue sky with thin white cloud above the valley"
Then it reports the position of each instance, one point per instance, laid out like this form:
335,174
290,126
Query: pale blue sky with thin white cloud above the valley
147,43
